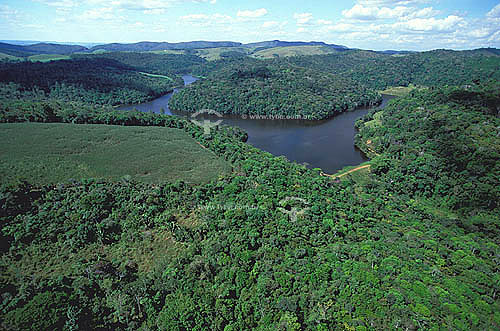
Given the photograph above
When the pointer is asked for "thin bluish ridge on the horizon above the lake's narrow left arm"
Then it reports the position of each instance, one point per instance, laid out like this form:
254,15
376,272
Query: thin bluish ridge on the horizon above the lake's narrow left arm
146,46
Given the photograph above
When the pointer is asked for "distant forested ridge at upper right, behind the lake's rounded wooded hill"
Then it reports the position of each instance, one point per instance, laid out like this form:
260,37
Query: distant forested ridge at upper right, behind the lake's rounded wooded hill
435,68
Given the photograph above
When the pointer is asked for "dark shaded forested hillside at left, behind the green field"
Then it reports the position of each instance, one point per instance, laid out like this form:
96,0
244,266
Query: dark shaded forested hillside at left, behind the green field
97,81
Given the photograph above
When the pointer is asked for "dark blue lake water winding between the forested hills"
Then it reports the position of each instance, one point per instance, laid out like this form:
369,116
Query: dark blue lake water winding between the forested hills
327,144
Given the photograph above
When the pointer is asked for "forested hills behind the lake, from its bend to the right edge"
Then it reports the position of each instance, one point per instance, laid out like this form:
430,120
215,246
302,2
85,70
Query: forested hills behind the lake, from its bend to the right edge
317,87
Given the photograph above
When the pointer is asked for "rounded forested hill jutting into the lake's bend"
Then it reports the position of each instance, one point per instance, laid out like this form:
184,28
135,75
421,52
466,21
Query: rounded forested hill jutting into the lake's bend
251,87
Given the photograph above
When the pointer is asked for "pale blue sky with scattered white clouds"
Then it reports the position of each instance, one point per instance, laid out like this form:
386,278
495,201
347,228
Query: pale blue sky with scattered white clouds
367,24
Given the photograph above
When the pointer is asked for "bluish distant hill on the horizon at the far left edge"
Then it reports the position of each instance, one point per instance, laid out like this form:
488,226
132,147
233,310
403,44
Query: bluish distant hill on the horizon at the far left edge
40,48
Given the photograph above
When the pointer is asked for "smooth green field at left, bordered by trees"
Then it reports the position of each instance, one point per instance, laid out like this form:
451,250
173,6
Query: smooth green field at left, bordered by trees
51,153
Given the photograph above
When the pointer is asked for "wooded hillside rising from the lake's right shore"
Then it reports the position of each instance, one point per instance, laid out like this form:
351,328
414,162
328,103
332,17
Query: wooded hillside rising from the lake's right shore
443,143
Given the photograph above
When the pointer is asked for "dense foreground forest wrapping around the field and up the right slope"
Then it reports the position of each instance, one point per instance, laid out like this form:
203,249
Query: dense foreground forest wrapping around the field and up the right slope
272,245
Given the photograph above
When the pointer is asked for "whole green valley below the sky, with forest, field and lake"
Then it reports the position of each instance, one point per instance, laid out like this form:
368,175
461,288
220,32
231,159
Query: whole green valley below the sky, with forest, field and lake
121,219
